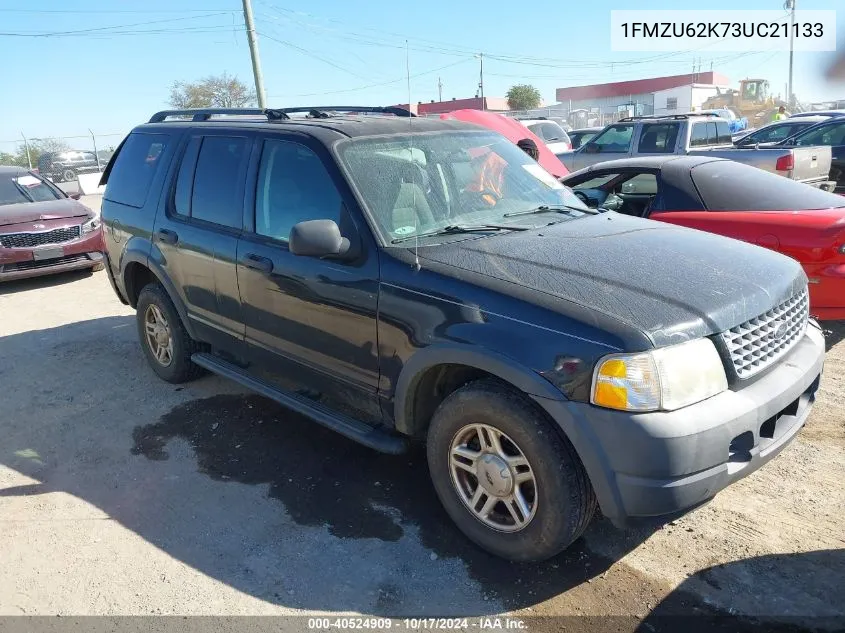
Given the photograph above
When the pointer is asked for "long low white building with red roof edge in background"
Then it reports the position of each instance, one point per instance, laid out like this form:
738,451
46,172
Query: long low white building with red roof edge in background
675,94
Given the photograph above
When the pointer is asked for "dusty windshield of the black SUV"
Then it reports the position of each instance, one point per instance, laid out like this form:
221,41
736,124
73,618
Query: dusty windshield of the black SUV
420,183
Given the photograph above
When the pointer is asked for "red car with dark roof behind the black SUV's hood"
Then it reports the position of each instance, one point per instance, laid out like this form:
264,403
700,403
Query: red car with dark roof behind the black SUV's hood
735,200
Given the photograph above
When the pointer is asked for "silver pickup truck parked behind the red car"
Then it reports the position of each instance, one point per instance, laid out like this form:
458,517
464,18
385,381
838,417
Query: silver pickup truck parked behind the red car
698,134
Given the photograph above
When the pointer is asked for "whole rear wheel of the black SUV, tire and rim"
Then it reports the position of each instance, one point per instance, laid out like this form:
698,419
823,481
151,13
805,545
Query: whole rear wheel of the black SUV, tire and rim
164,339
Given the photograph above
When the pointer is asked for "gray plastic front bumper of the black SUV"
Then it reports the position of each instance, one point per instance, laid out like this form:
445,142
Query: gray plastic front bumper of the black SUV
658,463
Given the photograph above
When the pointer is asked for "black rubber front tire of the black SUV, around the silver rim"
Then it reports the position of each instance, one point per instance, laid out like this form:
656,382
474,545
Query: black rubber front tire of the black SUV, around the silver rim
563,501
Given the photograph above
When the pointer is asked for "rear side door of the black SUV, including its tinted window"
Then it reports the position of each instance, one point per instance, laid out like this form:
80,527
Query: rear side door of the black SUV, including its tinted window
196,240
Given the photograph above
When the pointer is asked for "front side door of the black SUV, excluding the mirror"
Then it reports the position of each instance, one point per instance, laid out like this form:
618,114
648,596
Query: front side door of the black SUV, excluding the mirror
310,323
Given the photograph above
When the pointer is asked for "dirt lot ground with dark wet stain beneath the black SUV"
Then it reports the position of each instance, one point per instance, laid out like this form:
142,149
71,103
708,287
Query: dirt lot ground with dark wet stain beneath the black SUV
120,494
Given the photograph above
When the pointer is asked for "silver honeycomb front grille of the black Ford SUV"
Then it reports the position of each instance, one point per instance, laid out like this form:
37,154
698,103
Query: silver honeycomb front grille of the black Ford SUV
760,342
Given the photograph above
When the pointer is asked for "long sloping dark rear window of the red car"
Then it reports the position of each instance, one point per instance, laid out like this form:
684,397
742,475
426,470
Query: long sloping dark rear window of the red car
729,186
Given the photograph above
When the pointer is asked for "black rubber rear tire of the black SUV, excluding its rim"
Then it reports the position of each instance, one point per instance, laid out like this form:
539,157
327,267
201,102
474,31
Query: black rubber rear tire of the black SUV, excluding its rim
179,369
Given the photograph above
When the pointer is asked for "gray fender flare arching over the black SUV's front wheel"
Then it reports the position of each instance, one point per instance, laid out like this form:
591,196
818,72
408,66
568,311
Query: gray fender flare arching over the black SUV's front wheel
493,363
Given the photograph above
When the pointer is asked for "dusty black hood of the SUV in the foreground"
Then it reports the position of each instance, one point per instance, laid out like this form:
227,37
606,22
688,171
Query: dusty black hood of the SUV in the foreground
670,283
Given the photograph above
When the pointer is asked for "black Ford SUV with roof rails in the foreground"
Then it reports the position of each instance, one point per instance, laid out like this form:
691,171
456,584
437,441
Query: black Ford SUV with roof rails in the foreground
397,278
